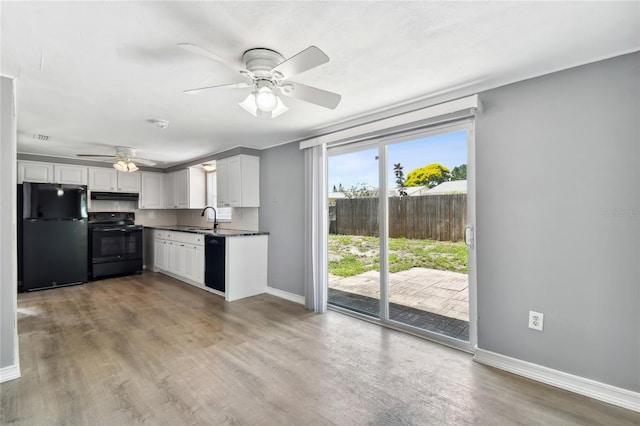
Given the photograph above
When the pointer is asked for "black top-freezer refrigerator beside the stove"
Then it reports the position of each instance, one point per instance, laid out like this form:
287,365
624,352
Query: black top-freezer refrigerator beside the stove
54,243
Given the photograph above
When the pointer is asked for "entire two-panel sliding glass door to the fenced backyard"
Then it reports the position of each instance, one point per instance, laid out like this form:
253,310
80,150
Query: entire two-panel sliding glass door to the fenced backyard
399,211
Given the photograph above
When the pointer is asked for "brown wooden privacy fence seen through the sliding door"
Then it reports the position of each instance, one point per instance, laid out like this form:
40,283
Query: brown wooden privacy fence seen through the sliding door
435,217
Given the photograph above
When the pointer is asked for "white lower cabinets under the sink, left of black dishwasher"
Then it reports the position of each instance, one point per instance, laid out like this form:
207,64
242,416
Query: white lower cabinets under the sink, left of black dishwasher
181,255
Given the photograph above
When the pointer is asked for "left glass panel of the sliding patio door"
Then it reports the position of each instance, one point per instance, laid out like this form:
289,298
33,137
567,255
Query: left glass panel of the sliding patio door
354,243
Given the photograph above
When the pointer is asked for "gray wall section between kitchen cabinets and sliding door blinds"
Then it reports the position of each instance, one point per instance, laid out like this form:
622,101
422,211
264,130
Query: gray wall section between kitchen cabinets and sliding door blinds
282,215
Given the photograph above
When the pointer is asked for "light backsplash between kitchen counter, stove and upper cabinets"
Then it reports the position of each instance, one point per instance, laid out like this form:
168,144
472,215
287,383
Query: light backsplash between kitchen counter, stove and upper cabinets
243,218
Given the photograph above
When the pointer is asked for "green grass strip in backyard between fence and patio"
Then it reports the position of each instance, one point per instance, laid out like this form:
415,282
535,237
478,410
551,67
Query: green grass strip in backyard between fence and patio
352,255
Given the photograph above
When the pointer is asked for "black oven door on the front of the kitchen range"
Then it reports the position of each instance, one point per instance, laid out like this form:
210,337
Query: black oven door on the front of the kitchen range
115,244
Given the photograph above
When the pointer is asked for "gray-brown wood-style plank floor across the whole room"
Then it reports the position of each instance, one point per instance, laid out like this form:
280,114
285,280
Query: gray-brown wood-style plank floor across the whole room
148,349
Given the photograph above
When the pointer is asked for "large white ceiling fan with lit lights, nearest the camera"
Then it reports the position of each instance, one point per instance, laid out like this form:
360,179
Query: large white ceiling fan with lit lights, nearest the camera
268,73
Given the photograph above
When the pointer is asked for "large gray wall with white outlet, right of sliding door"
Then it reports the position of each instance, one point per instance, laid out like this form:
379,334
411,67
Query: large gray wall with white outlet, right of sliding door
558,220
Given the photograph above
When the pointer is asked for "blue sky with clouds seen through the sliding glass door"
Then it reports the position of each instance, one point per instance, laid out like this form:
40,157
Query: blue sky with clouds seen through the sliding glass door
361,167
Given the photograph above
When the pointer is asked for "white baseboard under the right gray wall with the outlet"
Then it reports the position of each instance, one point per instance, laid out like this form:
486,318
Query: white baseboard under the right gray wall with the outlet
587,387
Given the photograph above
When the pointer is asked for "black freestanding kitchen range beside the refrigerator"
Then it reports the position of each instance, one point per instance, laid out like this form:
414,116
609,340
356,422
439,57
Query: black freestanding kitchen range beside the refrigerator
115,244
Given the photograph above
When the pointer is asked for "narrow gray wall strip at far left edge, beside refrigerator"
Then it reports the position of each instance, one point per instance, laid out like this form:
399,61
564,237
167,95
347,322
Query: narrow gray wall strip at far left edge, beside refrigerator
8,266
